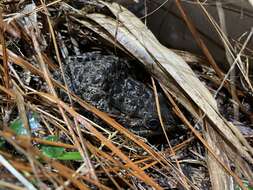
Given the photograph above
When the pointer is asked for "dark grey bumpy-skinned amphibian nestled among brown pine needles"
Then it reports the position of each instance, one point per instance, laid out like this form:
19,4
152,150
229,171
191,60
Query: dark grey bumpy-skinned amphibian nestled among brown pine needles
105,82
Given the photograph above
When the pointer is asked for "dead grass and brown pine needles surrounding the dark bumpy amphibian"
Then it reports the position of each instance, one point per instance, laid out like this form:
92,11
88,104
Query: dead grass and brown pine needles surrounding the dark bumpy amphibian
35,40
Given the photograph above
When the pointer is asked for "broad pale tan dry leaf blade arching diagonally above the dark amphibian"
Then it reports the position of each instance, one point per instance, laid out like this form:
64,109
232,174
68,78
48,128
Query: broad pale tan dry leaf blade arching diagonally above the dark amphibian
152,52
